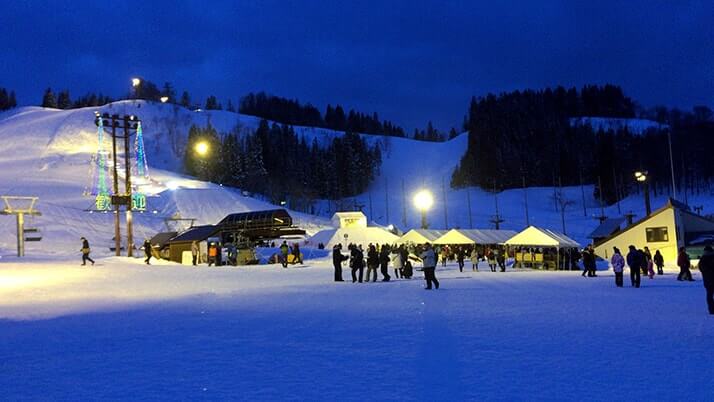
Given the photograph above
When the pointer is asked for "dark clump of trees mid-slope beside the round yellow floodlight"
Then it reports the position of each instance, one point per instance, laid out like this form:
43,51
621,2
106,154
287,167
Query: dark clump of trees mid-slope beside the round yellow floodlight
275,162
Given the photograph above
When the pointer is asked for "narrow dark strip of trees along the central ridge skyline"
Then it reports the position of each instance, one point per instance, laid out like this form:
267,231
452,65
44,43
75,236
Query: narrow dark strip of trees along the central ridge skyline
292,112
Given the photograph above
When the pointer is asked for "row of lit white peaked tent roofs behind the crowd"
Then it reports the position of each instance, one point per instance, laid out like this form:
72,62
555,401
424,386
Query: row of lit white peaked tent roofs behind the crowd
532,236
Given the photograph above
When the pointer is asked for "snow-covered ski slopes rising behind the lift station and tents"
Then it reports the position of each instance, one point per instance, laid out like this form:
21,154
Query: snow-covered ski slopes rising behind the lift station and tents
47,154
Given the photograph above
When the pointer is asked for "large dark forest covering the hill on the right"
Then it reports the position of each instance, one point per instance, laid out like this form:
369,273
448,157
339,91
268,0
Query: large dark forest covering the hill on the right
528,136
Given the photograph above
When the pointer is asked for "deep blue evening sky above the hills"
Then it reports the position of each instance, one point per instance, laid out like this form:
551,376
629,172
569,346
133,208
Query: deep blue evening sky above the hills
410,61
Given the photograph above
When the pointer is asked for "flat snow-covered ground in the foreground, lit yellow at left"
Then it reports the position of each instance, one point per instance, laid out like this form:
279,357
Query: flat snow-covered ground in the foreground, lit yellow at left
122,330
